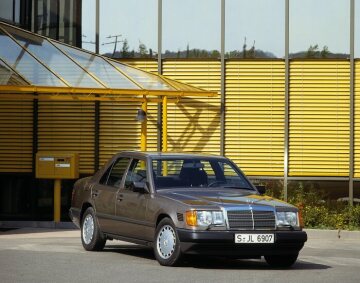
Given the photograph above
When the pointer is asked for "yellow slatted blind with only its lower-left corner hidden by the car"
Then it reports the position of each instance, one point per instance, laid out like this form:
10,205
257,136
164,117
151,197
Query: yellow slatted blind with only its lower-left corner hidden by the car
254,117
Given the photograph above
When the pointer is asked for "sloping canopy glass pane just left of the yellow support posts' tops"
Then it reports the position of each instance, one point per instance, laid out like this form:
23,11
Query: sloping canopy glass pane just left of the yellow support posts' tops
99,67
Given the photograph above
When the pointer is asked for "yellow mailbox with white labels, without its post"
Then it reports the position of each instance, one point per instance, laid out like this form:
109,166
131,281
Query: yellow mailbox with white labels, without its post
57,165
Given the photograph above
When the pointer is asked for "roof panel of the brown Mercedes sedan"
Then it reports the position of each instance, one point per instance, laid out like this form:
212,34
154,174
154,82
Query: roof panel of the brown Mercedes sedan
170,154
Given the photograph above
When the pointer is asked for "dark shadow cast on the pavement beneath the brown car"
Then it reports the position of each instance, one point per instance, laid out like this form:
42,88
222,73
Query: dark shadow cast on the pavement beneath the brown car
206,262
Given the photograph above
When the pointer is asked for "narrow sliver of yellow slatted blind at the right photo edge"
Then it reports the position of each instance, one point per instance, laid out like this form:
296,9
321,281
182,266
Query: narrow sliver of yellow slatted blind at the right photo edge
357,121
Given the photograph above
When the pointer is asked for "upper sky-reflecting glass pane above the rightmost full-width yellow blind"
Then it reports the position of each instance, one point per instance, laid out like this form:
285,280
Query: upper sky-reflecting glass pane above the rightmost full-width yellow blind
319,29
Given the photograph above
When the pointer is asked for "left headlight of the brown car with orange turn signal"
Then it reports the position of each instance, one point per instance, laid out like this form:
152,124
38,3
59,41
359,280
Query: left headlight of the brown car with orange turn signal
204,218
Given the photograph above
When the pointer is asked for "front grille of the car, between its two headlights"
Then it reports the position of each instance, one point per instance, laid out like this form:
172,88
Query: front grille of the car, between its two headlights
251,219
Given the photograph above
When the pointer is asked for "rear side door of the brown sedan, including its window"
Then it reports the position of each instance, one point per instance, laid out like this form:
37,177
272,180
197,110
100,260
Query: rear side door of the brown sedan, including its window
104,194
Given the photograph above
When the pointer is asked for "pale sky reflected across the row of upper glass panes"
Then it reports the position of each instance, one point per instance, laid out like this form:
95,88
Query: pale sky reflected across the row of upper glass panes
197,23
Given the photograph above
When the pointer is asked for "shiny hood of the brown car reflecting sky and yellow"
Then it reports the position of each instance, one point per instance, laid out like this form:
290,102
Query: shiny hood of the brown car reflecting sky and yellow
224,198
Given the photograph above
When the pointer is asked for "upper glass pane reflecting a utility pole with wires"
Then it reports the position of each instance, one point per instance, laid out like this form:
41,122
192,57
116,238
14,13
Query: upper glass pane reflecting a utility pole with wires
128,29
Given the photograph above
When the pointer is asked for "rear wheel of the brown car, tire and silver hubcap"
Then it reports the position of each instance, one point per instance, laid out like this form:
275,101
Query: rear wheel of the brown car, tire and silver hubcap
91,236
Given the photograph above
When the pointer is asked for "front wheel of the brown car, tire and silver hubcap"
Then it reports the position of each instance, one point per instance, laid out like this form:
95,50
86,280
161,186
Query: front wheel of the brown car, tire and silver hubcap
166,243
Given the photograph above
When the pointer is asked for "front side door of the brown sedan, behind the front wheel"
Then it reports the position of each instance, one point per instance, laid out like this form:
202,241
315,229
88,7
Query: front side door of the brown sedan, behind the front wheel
131,205
